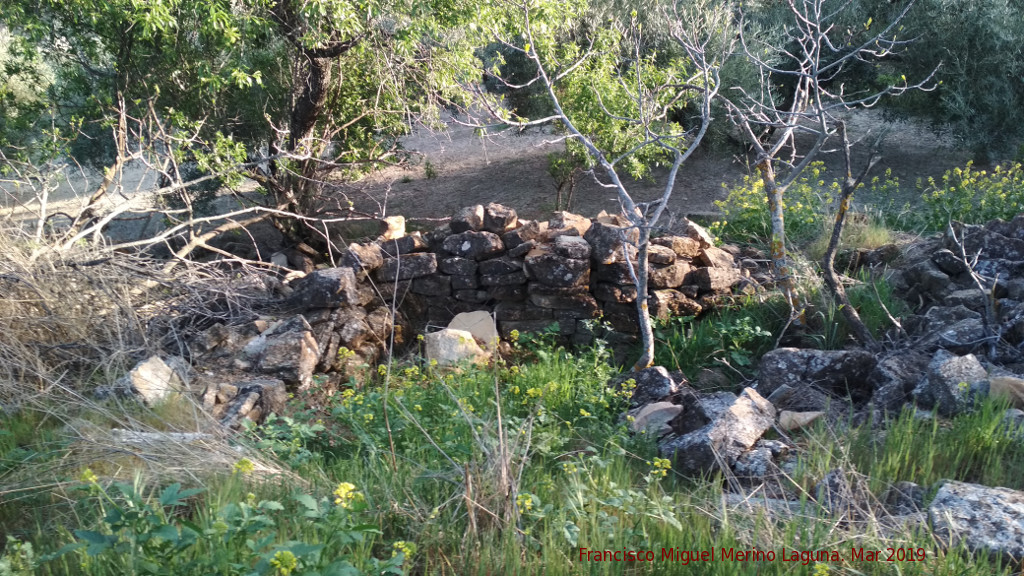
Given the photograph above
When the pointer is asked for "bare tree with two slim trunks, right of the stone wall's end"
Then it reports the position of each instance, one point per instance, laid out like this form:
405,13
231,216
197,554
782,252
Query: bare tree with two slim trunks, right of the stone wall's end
822,47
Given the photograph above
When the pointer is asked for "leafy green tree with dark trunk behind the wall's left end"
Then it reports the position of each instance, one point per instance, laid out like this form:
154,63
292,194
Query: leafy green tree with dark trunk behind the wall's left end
290,94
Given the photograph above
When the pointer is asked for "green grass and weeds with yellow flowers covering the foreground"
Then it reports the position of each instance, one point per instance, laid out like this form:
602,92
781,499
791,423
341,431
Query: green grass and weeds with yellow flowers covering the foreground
471,491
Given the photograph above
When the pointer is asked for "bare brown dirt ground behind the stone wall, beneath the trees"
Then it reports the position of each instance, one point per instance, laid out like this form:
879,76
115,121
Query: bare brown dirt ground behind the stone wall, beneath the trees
513,169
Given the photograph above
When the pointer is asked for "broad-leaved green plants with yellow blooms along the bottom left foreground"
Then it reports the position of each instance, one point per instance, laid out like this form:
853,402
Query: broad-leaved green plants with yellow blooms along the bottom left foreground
156,534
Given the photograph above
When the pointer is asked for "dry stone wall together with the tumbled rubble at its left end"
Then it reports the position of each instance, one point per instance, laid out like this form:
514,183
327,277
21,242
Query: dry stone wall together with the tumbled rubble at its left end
530,276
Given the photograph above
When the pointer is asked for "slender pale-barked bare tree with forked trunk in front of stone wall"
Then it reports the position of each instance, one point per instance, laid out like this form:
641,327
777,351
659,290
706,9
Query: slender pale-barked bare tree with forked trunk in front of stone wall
653,95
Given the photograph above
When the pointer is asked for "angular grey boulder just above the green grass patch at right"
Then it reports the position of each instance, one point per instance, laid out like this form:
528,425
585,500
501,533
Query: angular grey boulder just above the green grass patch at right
952,384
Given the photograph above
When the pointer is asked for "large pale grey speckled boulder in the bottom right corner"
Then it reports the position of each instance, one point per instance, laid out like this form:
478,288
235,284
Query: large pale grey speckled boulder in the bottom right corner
986,520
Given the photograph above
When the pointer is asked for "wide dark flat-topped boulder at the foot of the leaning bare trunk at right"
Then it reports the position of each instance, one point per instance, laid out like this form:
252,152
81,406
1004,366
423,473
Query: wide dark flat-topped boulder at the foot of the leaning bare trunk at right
843,373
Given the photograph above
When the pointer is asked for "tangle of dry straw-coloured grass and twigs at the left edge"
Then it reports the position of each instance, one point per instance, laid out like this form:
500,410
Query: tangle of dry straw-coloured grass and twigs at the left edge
76,320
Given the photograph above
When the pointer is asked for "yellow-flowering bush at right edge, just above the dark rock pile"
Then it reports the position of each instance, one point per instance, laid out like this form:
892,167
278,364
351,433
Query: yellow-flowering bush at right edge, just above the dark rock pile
972,196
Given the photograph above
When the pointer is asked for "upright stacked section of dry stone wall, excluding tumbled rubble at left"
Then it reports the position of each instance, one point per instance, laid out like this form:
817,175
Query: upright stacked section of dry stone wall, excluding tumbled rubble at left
530,275
